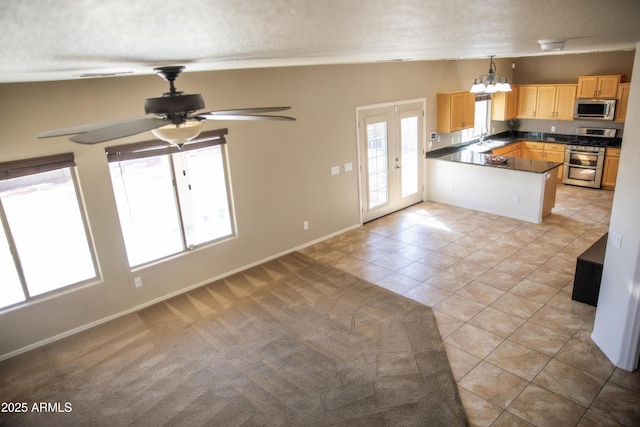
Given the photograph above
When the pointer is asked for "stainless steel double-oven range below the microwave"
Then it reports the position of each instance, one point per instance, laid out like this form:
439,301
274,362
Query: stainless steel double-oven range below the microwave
584,158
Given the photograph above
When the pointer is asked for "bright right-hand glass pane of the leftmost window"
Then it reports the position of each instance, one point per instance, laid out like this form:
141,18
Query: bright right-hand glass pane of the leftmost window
44,218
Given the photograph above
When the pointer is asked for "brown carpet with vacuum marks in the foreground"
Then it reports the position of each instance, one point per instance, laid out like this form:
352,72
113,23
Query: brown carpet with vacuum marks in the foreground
289,342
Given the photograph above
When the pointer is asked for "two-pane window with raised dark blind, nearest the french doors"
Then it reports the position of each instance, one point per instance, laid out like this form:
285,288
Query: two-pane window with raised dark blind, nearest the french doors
169,199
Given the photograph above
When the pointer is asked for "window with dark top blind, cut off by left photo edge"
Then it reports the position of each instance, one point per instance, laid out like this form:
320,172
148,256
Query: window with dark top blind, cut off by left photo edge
44,244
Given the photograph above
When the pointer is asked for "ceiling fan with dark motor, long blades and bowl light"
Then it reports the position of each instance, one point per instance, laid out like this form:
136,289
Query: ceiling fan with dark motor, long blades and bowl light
171,117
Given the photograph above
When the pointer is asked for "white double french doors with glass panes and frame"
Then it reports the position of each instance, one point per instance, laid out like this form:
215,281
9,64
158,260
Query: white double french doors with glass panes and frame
390,146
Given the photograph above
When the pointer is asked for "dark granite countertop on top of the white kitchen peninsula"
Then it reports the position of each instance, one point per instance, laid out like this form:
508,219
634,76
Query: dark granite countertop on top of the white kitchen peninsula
511,163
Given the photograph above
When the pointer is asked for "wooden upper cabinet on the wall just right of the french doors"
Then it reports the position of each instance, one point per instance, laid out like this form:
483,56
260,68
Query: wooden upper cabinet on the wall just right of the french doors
456,111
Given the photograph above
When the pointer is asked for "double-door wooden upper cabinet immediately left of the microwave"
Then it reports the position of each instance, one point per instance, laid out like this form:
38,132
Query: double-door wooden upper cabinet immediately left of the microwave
553,102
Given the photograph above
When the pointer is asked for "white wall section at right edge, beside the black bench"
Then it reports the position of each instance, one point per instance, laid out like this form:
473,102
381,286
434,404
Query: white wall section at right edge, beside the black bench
617,325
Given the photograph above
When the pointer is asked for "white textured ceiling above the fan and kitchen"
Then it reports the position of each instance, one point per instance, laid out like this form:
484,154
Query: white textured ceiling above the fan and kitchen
65,39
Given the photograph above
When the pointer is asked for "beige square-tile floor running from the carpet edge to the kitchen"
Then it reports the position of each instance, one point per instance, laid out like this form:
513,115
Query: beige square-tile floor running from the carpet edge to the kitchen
519,346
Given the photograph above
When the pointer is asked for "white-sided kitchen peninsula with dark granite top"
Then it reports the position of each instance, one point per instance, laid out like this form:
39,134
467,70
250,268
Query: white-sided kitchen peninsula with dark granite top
523,189
